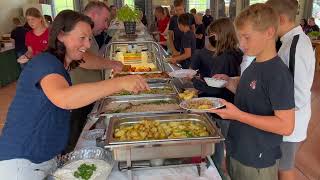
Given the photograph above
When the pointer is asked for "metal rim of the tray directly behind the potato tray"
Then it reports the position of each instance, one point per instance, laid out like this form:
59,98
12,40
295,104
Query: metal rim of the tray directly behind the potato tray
124,99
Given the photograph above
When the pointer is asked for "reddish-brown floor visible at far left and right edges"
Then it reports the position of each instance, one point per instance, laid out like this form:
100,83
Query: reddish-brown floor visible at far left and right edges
308,156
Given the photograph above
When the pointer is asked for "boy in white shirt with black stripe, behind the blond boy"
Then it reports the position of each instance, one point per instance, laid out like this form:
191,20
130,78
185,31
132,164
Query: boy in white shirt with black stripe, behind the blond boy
297,53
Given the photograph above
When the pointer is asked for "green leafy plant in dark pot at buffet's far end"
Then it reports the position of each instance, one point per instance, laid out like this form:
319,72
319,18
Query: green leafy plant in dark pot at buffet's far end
129,16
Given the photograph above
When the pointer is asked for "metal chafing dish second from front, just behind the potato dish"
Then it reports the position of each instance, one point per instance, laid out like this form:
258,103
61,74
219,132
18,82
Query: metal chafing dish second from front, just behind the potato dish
102,106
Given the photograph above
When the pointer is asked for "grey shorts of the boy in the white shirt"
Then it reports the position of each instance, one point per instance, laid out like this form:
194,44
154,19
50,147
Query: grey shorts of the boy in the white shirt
289,150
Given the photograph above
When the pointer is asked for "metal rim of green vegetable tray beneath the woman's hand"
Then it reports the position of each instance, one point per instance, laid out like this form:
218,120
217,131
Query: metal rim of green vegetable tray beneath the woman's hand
153,86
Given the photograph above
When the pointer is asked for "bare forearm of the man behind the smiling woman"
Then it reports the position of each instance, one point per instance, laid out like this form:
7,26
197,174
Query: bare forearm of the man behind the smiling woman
93,61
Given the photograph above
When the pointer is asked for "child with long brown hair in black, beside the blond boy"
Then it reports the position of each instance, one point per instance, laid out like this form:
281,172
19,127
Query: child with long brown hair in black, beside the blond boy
221,55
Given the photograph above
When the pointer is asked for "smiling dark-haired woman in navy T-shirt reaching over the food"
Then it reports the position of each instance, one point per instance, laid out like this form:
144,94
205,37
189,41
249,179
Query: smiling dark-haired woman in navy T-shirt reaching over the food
37,124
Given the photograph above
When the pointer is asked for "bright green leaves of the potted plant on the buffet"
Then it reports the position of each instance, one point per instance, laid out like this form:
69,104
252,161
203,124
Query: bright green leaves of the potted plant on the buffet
128,14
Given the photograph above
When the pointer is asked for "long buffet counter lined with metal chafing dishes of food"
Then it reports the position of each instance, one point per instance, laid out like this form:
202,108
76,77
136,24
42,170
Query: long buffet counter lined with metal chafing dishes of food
167,158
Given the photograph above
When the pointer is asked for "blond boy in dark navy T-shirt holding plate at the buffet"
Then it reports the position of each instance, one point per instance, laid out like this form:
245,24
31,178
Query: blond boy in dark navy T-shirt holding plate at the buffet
264,99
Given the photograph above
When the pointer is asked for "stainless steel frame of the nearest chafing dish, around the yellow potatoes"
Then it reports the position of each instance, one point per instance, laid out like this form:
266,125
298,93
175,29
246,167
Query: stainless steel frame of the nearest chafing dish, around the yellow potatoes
164,148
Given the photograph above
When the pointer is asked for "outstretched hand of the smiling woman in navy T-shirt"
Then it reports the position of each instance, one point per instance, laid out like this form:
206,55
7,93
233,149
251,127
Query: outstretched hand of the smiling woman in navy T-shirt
133,83
